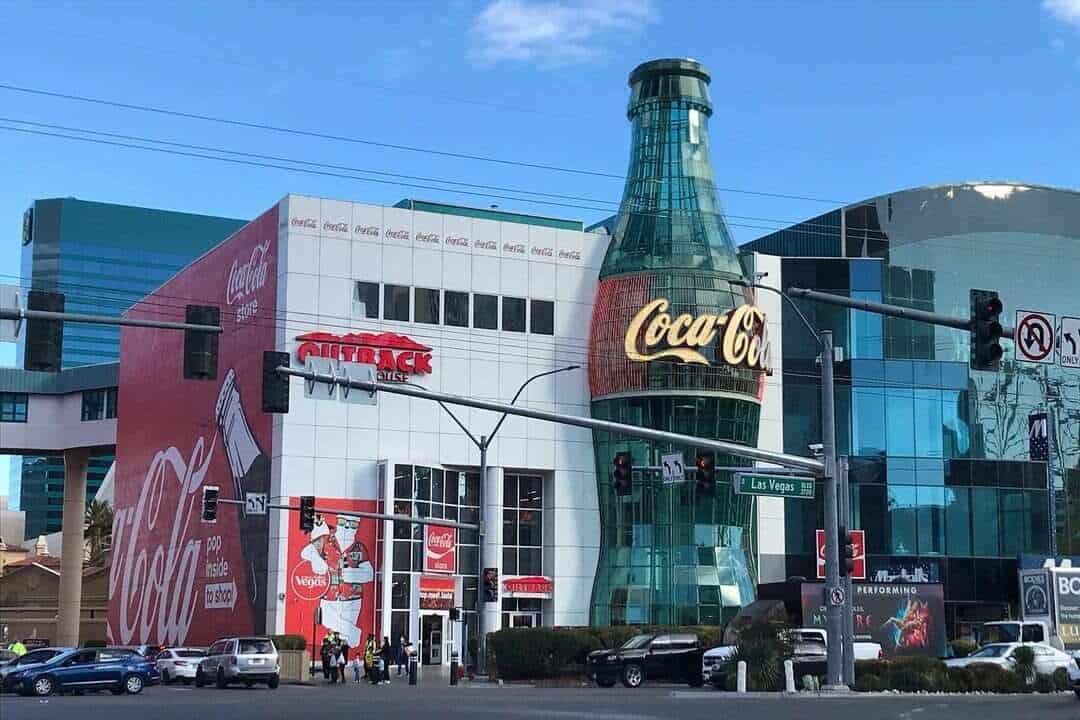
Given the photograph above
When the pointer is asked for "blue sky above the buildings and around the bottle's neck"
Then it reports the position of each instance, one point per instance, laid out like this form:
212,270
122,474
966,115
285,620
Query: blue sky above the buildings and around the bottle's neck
838,101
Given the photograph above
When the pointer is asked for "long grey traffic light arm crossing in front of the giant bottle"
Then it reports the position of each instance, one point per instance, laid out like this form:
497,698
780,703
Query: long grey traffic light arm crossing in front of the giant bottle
795,463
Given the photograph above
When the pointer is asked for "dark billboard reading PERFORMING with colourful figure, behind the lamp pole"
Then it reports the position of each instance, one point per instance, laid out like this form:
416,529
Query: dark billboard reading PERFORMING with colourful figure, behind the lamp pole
906,619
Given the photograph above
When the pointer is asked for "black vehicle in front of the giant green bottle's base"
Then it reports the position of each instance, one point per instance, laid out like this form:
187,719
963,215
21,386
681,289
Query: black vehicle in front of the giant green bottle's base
672,658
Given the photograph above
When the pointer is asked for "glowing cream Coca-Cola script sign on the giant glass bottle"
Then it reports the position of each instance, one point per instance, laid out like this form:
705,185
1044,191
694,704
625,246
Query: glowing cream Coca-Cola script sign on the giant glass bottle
741,334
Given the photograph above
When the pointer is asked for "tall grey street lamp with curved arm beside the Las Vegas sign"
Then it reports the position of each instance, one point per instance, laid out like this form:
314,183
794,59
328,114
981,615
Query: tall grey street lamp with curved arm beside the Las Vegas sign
839,656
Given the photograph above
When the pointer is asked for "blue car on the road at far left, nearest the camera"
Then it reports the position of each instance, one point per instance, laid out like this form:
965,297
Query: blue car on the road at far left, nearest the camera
117,670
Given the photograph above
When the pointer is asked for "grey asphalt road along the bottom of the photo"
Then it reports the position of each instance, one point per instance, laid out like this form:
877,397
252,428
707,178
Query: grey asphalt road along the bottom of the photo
490,702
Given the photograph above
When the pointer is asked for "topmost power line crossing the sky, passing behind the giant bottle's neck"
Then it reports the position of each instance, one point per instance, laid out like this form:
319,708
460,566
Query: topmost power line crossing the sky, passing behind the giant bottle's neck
357,141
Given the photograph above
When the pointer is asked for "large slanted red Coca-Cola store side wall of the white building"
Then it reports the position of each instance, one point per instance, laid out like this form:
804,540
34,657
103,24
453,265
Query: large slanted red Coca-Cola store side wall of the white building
174,579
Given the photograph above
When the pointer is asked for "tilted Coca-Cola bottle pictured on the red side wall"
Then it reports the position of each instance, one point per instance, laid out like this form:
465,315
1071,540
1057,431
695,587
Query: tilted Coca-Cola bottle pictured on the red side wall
250,469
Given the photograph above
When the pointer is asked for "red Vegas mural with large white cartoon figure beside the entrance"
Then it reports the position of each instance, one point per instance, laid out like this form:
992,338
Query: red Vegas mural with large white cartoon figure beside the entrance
331,576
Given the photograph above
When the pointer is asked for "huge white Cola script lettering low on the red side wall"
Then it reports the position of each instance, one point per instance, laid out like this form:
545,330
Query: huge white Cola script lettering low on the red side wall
157,585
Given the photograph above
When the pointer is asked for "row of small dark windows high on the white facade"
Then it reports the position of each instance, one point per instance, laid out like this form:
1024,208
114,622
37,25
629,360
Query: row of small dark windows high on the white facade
436,307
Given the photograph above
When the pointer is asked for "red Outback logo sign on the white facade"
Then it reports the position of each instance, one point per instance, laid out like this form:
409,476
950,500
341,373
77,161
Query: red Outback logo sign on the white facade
396,357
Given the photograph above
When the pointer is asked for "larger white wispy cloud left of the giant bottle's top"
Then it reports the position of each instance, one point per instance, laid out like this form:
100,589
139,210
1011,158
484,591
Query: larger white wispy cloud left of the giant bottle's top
552,33
